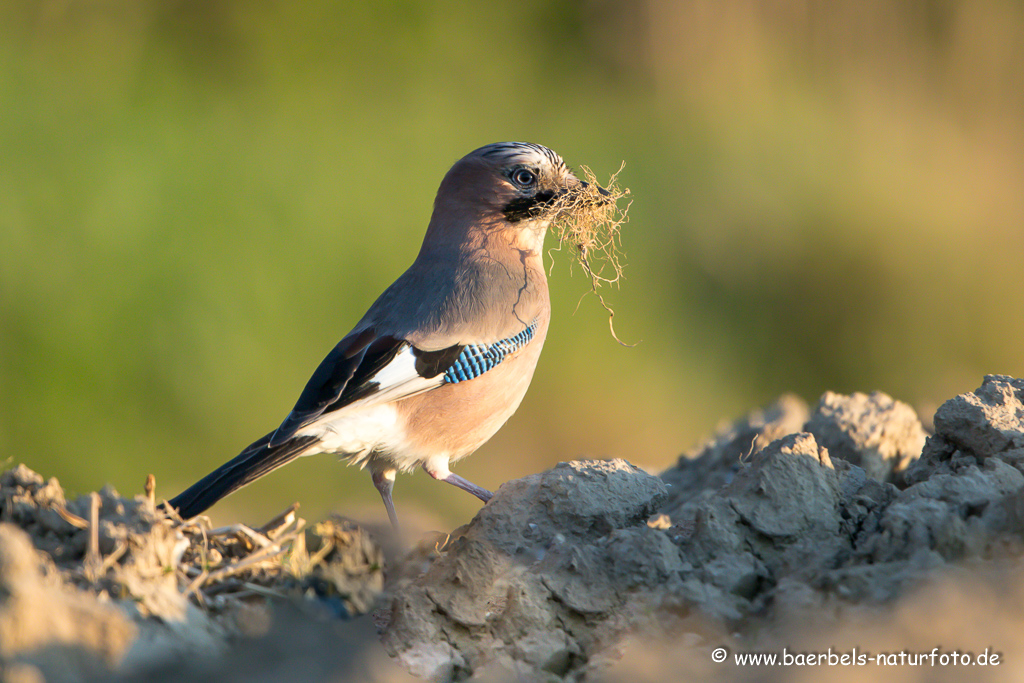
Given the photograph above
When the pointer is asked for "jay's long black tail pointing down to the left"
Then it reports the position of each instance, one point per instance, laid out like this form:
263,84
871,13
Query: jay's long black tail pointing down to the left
251,464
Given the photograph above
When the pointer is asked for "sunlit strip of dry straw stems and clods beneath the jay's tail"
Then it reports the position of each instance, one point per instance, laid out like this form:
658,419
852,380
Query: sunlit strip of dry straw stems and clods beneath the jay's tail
139,551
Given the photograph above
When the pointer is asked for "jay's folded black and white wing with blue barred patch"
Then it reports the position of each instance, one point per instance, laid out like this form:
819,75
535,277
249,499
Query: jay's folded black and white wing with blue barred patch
366,369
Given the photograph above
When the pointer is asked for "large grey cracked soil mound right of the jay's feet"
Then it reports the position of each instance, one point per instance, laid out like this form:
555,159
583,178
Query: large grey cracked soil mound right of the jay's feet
787,527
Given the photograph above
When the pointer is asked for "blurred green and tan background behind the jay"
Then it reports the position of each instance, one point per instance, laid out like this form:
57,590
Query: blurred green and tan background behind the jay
199,199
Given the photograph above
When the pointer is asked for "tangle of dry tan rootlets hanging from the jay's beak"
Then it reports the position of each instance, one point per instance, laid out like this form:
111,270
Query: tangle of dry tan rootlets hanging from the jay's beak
589,219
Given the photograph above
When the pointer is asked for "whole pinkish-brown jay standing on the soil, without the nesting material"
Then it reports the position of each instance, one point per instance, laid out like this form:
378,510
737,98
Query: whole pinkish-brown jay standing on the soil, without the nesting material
443,359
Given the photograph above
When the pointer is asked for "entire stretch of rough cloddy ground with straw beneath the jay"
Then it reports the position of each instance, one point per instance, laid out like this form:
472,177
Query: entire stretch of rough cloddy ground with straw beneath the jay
842,531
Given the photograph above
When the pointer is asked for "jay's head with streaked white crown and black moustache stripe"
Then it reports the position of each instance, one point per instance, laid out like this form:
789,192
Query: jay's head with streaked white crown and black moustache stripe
506,188
